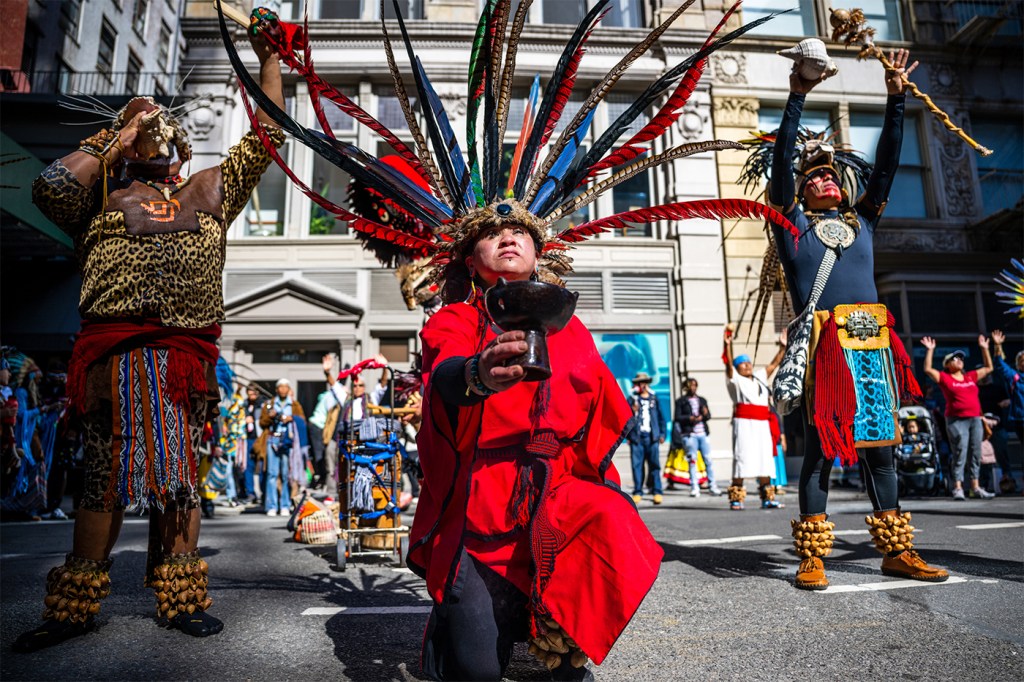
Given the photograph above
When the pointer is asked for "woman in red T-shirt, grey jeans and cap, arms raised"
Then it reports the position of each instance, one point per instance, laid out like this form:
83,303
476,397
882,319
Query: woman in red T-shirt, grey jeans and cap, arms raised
964,421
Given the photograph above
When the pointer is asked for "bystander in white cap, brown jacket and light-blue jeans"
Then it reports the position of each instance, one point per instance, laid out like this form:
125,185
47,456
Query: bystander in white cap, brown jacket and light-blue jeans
278,422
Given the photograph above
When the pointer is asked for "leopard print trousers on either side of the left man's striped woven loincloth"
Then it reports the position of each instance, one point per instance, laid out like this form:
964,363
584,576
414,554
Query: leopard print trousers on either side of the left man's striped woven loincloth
98,444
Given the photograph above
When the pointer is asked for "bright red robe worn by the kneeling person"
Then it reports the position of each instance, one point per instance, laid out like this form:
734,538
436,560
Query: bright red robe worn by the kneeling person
584,557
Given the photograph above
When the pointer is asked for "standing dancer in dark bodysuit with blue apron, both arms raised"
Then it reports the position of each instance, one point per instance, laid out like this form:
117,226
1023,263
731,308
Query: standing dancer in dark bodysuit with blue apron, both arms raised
859,369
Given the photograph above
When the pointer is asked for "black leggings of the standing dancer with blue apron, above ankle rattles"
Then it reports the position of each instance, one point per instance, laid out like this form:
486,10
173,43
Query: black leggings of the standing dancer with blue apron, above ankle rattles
881,482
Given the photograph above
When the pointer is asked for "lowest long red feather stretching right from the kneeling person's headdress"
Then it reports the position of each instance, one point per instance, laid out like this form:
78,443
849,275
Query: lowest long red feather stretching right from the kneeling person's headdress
711,209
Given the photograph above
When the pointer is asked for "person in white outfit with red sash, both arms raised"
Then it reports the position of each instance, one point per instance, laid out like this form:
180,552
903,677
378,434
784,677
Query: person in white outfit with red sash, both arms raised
755,430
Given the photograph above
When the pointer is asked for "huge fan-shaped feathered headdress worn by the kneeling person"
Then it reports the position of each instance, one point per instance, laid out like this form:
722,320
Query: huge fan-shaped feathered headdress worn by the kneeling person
461,194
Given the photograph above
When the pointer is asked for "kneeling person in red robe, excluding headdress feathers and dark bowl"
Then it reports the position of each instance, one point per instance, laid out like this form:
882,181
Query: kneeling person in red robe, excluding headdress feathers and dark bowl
522,531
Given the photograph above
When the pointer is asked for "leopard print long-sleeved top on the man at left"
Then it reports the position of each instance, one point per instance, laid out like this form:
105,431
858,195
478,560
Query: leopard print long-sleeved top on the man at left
176,277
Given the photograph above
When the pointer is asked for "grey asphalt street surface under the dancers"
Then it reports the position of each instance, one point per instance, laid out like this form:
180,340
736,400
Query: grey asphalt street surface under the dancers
723,608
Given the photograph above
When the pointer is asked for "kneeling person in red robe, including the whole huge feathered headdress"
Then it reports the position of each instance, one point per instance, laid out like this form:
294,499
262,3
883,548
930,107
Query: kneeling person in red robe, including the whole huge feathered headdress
517,475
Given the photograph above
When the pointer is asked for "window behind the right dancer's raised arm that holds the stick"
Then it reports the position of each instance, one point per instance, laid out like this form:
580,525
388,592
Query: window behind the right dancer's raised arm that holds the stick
909,187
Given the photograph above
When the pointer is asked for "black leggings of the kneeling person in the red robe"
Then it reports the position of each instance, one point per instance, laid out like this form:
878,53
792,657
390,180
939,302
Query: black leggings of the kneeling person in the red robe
471,637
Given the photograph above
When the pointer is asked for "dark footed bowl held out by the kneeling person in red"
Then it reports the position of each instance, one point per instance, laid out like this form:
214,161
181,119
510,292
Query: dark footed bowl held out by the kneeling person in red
537,309
